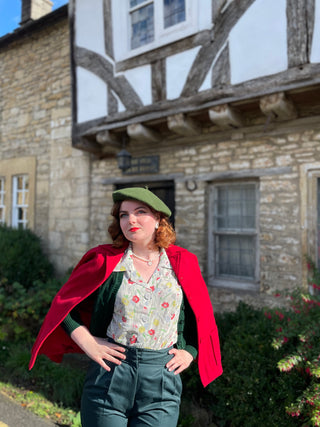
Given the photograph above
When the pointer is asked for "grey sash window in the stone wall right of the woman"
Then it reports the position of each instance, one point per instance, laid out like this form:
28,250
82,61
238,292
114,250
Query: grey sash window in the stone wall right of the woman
233,235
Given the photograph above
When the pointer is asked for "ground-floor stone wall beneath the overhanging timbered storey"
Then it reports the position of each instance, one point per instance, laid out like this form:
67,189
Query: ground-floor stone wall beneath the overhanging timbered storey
281,248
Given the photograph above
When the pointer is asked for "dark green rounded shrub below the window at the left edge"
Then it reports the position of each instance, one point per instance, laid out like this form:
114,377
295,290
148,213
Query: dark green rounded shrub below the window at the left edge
21,257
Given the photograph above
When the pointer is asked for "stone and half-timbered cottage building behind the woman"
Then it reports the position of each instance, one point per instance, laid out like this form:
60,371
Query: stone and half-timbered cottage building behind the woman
213,104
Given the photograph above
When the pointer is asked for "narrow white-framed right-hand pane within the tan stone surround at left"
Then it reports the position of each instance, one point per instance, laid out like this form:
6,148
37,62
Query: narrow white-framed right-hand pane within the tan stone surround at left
20,201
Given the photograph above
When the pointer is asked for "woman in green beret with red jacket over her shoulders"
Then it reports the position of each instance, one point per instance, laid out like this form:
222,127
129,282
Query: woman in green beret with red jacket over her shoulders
140,310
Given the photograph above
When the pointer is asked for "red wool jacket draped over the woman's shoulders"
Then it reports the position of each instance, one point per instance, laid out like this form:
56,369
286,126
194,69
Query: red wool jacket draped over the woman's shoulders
93,270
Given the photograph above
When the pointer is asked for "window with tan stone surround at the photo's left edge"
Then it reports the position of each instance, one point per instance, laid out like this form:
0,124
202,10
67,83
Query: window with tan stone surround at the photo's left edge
17,192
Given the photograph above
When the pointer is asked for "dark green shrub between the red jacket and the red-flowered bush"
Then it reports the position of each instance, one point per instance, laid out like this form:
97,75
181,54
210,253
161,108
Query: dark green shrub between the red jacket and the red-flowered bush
251,392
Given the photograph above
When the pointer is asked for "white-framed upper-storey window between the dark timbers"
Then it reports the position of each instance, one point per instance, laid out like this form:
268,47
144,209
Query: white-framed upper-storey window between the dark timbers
149,24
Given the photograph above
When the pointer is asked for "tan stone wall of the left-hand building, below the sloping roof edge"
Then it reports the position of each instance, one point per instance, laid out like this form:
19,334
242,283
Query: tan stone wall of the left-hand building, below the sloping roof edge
36,122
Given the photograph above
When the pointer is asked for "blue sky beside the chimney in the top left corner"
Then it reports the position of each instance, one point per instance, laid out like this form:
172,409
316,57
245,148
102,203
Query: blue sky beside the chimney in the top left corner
10,14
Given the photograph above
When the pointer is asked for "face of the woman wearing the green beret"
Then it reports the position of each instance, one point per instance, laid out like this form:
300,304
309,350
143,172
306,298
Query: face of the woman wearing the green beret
137,222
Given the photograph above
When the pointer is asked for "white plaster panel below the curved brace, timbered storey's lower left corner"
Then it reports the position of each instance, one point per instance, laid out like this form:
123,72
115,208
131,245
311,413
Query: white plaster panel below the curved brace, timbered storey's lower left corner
91,96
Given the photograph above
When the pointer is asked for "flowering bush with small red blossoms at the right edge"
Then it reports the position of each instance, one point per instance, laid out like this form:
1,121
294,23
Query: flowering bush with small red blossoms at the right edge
297,333
